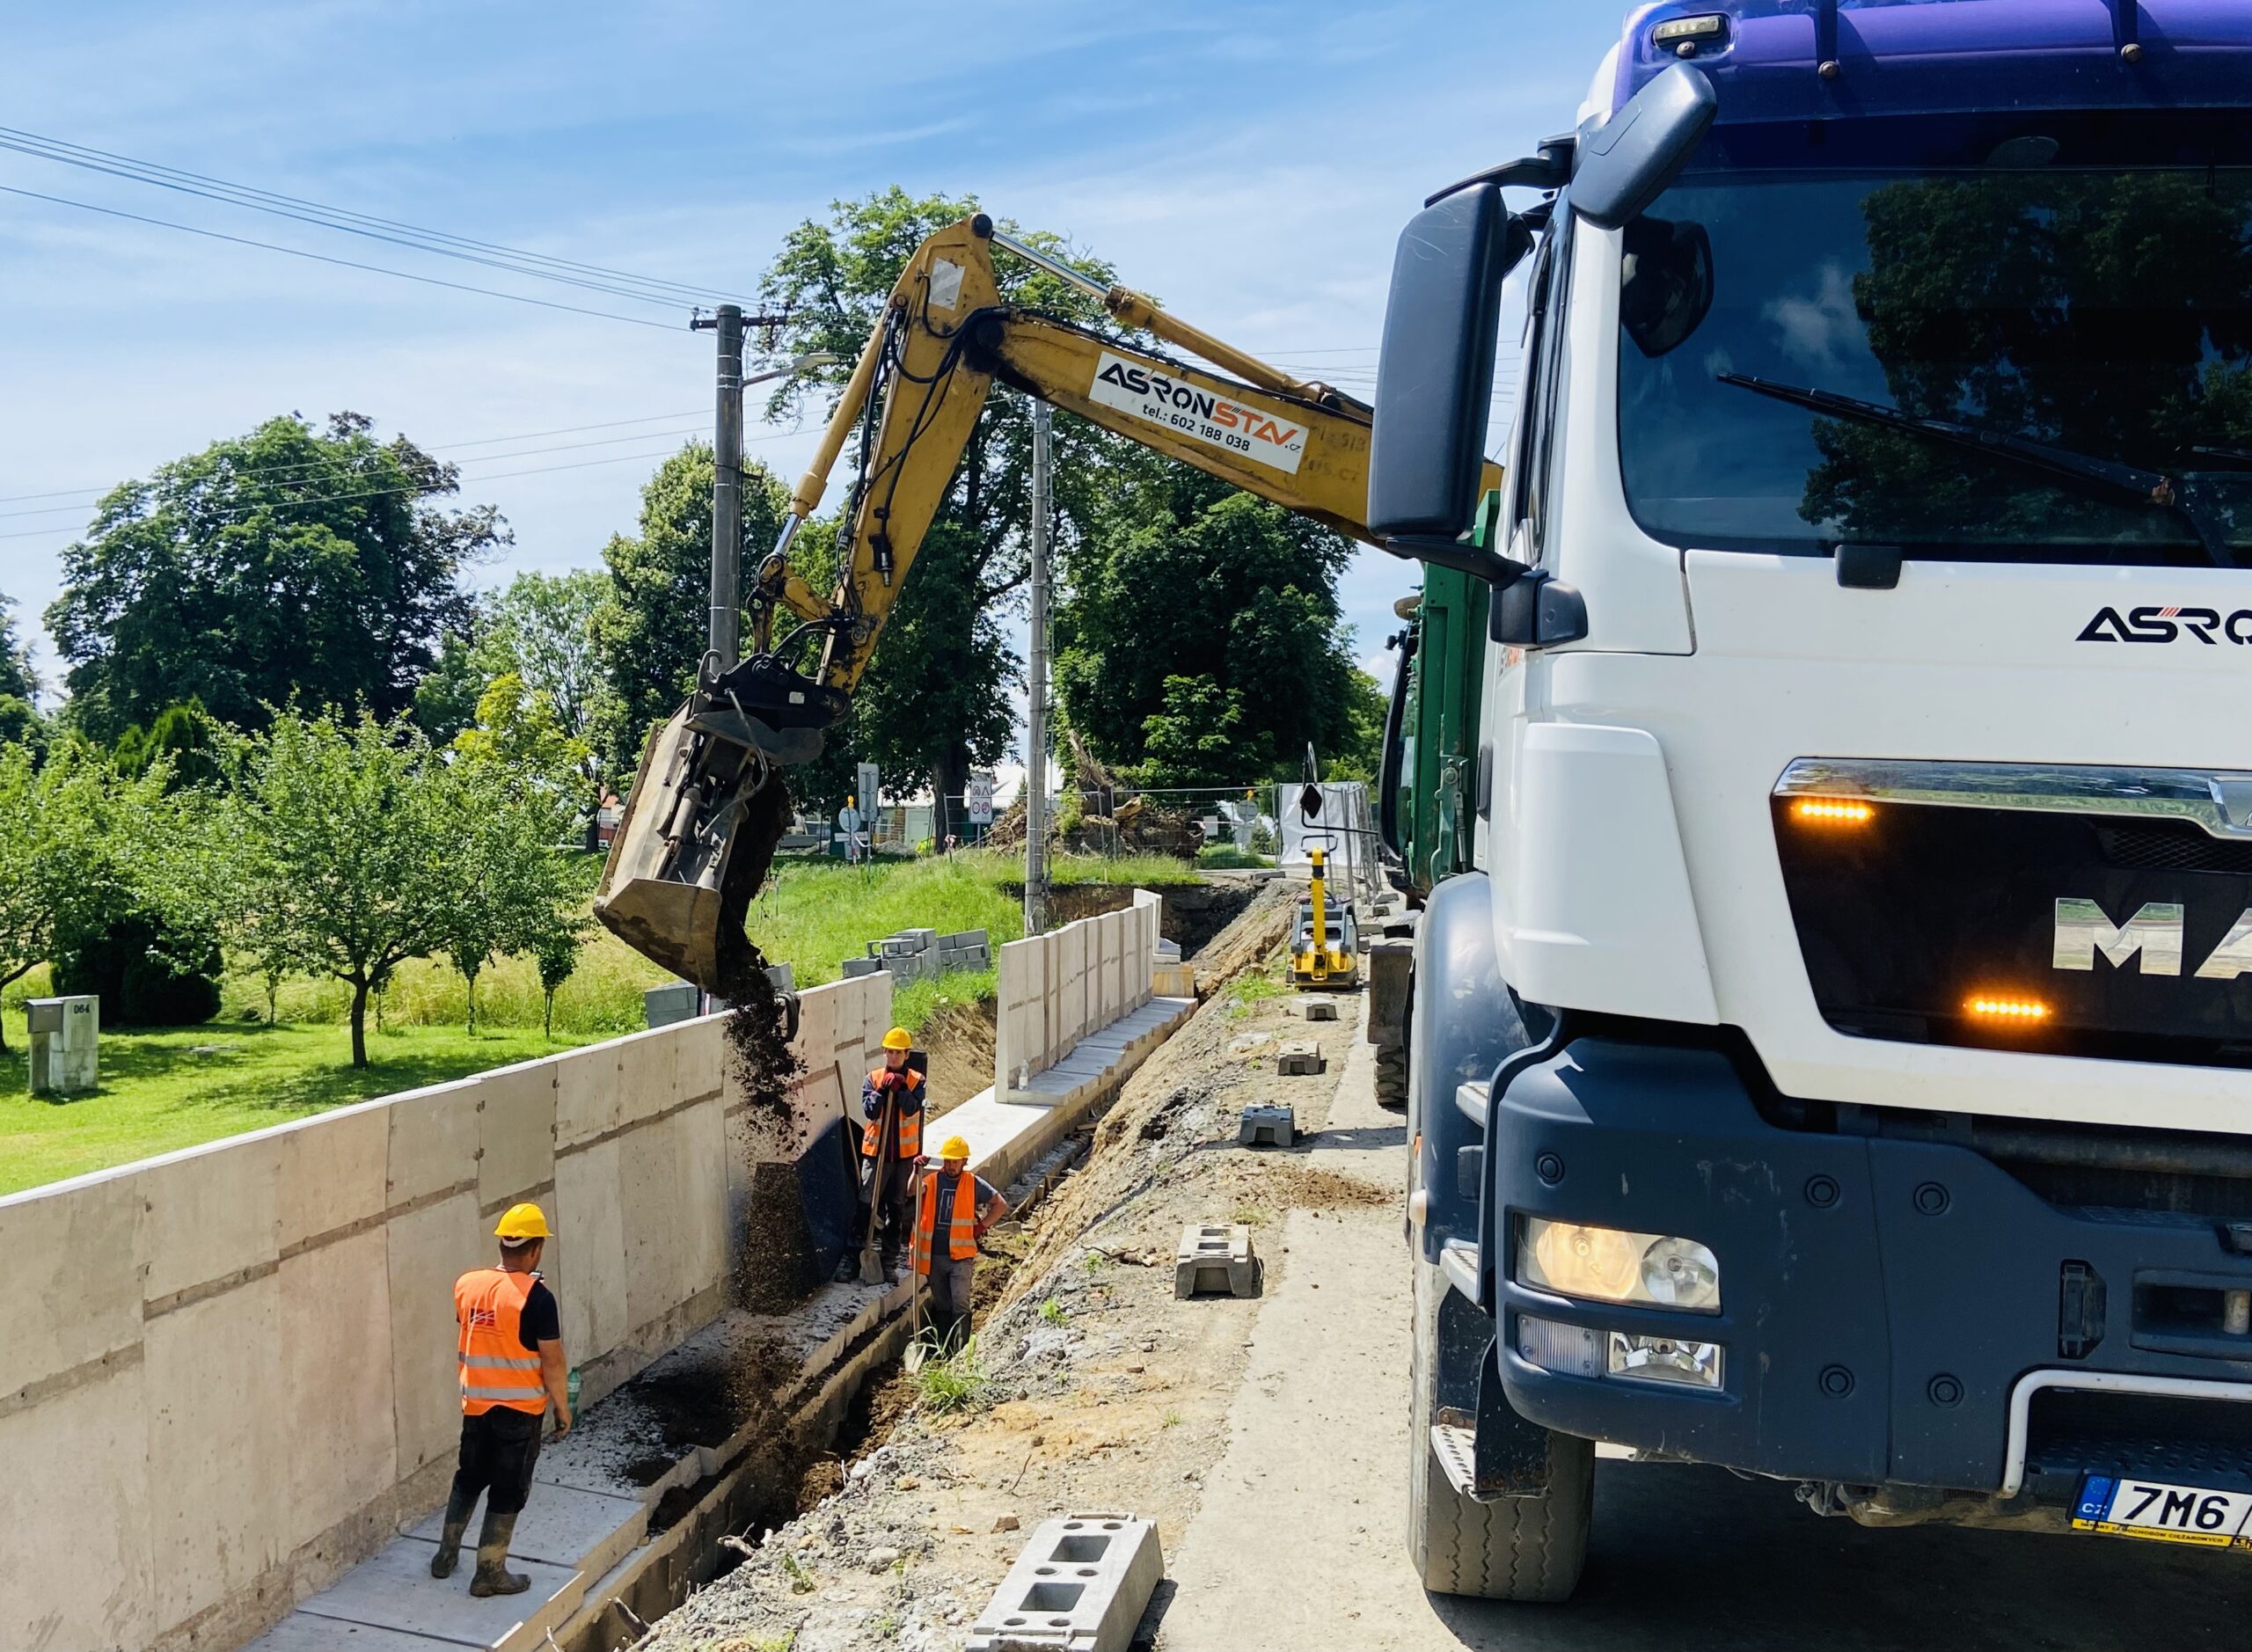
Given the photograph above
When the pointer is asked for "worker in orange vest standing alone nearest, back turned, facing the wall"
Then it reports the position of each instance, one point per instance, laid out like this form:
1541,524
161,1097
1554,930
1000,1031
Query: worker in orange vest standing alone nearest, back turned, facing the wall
510,1352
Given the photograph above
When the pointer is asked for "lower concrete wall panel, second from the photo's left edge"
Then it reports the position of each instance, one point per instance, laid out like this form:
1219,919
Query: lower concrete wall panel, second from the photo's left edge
217,1448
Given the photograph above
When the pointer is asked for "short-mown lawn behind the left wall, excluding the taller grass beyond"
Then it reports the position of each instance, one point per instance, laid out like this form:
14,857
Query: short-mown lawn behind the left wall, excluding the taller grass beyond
161,1095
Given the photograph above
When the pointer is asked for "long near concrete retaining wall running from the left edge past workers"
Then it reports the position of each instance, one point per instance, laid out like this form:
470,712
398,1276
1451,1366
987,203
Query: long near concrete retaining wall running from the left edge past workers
226,1374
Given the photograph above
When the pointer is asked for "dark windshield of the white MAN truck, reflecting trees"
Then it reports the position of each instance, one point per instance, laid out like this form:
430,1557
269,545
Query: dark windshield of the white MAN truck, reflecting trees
2100,314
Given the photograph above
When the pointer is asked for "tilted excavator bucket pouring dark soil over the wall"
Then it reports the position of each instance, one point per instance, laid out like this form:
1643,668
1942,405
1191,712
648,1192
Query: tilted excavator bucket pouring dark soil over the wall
704,818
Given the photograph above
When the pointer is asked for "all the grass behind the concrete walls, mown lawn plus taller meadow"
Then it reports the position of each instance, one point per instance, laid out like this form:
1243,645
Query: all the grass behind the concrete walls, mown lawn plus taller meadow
159,1093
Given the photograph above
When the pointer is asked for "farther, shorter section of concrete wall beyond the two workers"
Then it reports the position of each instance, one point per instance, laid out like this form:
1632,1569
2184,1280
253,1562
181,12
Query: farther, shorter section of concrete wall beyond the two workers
1060,987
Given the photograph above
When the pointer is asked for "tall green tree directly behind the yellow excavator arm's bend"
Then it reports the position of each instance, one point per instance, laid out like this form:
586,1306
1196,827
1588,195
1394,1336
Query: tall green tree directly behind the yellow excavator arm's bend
933,703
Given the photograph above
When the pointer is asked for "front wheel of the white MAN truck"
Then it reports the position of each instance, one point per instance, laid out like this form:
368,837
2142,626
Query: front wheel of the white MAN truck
1514,1547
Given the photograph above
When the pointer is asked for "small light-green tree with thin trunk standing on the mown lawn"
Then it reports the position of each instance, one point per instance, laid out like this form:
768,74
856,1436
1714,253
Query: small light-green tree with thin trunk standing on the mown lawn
346,834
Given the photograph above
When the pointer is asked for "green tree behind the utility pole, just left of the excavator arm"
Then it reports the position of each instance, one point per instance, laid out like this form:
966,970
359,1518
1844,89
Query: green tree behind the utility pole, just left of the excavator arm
652,625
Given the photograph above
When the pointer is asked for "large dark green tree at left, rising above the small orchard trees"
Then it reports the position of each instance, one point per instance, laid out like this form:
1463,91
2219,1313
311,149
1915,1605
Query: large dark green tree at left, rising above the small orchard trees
269,568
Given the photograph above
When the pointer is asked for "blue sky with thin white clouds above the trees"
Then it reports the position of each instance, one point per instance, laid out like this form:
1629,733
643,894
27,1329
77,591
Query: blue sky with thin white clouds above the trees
1246,163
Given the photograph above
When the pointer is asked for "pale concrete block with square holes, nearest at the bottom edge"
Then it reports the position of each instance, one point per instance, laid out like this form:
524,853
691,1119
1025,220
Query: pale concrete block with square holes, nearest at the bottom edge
1080,1586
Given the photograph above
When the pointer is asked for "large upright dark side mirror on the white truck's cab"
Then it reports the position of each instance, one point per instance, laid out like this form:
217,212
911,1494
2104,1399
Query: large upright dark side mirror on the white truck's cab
1436,377
